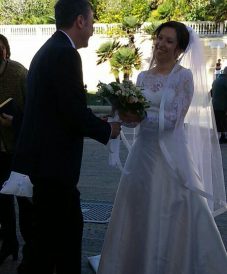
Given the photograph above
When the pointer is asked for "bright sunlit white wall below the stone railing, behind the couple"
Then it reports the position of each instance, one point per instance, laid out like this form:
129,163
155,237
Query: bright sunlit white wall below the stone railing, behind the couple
24,47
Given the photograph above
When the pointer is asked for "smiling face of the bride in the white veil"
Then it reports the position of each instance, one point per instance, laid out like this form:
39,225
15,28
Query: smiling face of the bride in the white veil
166,46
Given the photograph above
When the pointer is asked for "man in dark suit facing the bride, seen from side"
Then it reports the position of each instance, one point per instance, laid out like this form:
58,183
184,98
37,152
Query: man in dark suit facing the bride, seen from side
50,145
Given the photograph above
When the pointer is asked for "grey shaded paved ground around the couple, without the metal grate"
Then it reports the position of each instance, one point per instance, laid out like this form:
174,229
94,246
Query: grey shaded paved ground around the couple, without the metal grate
99,182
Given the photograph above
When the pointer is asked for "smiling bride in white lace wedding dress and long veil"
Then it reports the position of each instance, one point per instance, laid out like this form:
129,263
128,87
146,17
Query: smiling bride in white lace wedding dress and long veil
172,185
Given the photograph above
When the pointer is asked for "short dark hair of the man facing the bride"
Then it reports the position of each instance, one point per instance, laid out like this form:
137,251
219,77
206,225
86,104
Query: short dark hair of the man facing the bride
66,11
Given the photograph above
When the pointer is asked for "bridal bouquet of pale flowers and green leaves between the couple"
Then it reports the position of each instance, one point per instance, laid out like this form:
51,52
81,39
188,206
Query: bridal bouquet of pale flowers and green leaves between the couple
124,97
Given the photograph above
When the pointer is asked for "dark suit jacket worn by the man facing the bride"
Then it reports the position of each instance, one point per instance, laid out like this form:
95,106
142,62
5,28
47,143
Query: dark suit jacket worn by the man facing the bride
56,117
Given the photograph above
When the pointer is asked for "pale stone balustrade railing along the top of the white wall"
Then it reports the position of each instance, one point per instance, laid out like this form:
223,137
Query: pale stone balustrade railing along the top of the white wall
203,28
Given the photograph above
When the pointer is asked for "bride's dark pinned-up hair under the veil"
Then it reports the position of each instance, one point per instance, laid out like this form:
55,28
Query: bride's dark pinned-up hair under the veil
181,31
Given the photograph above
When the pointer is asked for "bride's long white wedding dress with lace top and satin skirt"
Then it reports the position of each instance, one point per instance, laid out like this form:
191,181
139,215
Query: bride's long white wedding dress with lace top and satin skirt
158,225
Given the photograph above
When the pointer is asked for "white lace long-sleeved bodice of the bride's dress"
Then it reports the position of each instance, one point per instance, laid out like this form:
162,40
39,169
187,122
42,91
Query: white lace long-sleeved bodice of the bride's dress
178,97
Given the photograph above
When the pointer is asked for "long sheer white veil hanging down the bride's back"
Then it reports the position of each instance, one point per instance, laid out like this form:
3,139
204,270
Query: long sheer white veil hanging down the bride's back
201,134
